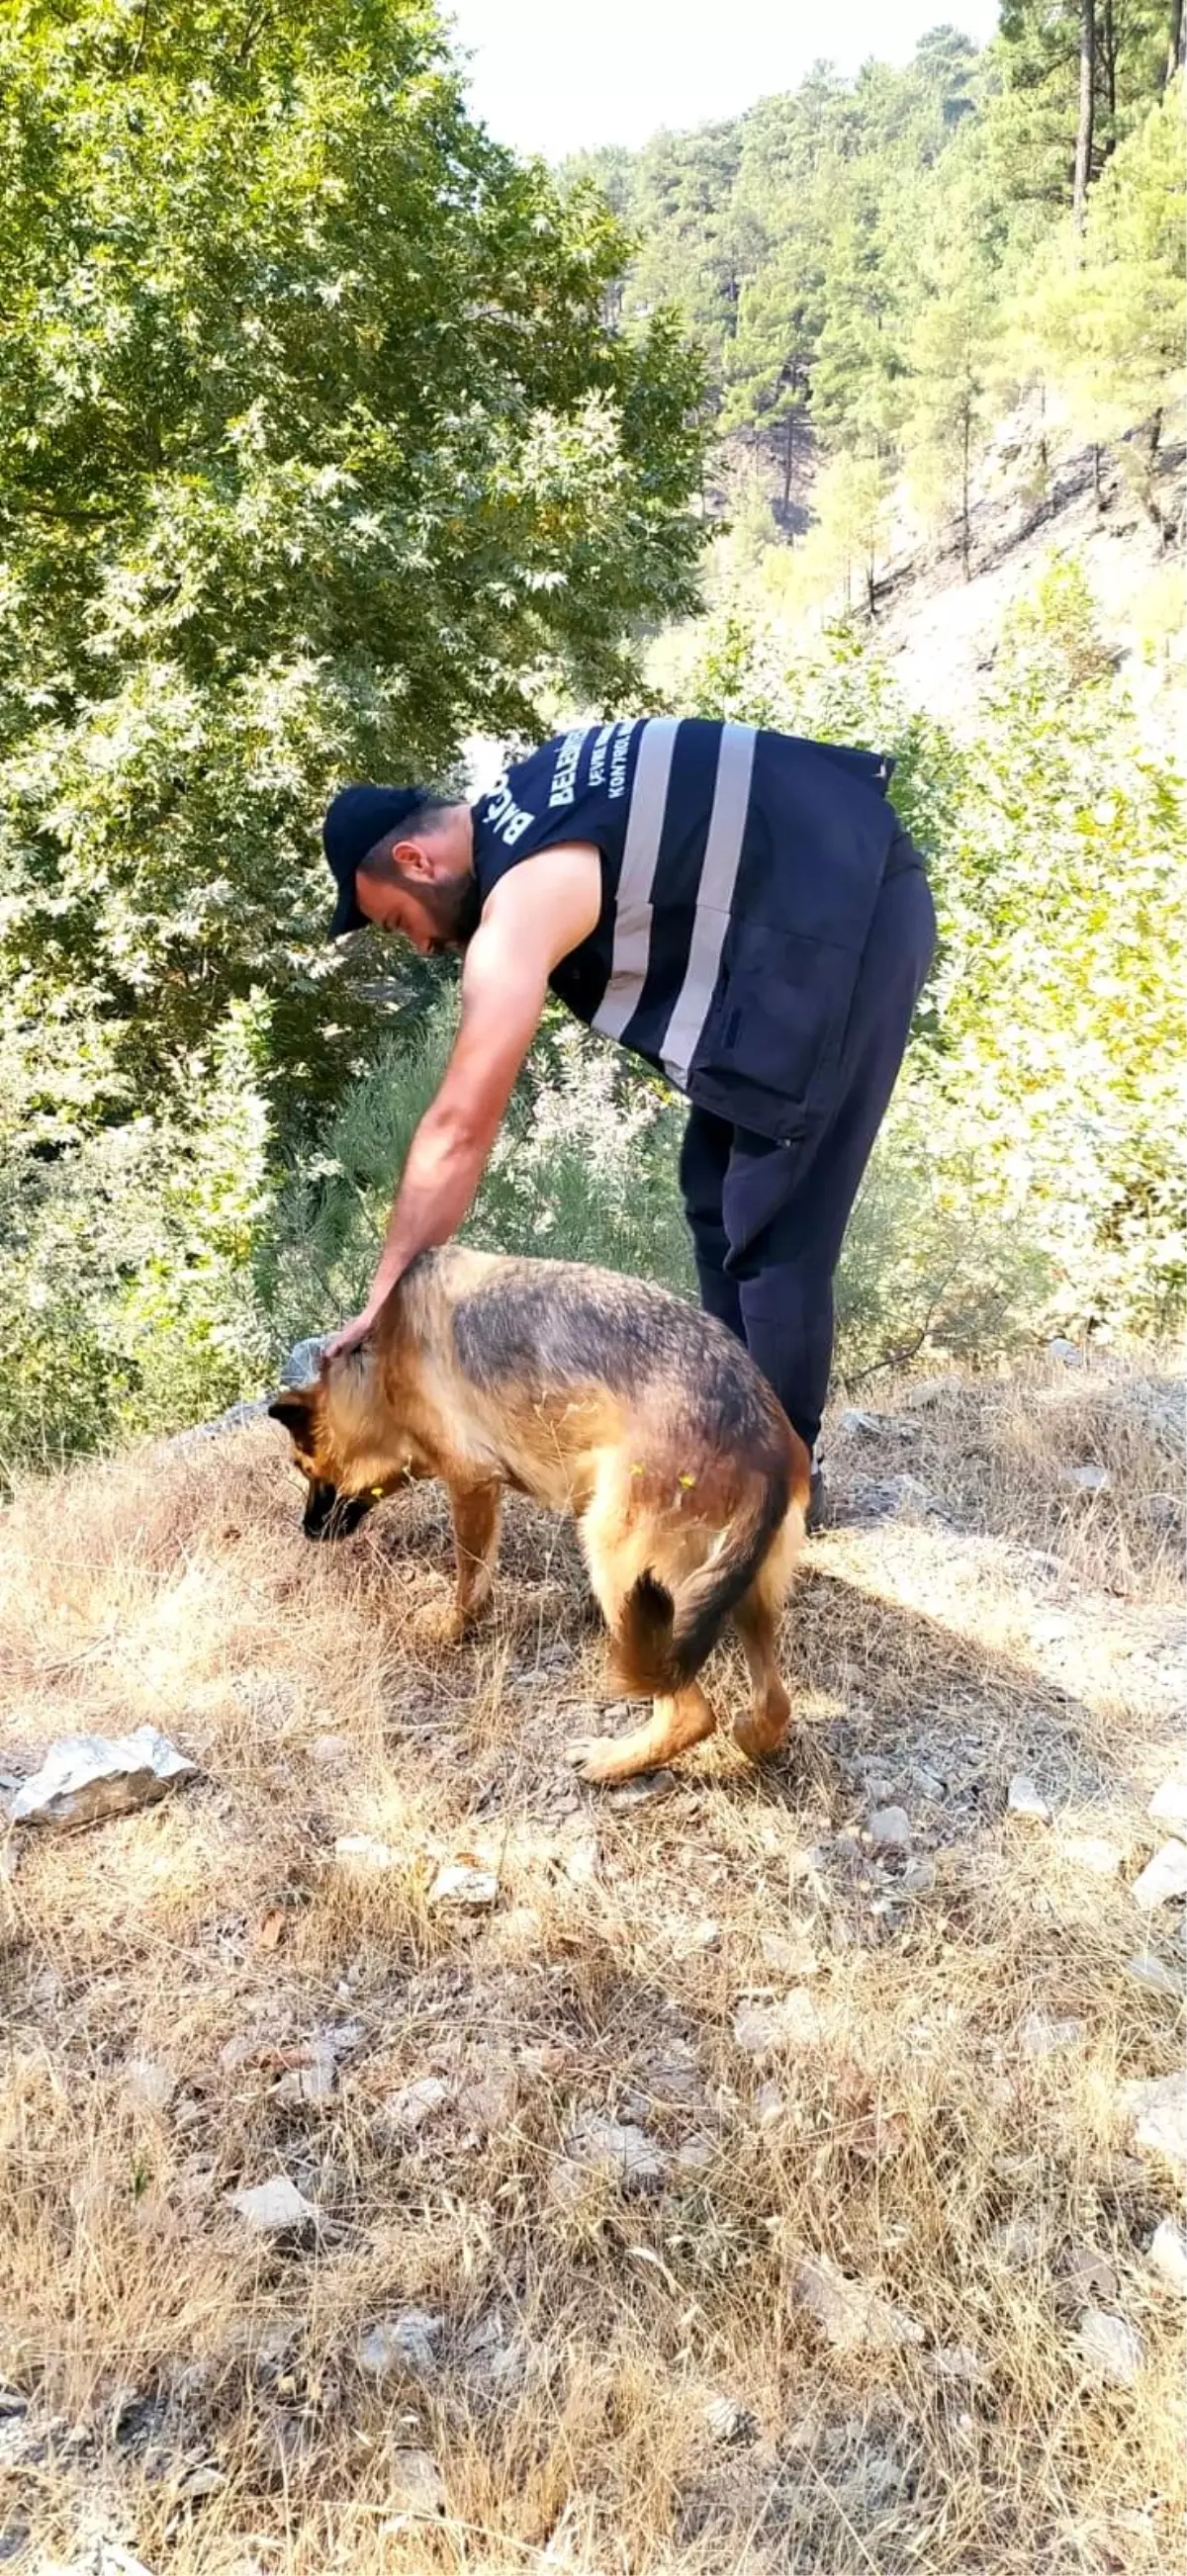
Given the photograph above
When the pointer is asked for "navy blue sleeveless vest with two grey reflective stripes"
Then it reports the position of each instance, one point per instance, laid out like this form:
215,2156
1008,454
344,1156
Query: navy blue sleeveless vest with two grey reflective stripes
740,875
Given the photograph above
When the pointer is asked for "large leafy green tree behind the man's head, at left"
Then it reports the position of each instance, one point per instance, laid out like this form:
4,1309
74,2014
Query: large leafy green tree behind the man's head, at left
315,455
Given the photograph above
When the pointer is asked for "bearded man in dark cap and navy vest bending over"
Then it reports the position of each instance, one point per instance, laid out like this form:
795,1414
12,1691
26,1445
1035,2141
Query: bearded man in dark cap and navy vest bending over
738,908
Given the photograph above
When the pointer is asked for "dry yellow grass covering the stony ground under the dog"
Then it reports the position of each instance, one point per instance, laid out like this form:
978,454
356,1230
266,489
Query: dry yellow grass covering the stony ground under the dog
902,2132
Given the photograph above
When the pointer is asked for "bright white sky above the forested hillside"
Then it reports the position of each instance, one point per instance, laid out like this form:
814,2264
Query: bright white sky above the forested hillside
552,79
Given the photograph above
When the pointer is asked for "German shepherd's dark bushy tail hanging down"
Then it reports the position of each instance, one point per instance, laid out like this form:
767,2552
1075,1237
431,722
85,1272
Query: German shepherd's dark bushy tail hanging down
666,1637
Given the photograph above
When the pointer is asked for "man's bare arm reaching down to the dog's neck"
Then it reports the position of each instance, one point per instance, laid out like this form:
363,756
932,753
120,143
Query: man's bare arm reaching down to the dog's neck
534,918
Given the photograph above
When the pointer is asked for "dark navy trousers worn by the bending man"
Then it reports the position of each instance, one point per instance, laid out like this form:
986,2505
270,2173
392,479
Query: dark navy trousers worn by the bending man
769,1220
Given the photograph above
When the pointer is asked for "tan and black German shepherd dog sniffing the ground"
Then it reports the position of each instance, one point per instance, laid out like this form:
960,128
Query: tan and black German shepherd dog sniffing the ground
604,1397
